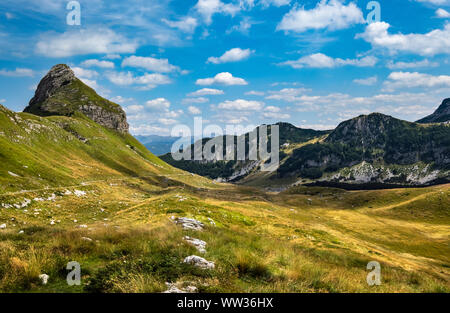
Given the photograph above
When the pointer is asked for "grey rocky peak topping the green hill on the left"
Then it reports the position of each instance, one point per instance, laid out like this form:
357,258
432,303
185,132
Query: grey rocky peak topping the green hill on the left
60,92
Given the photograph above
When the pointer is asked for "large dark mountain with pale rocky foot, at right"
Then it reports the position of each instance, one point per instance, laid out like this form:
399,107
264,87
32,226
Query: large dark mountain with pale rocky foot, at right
375,148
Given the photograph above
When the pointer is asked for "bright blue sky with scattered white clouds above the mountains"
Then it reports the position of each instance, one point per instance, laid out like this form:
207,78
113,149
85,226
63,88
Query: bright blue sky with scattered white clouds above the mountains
247,62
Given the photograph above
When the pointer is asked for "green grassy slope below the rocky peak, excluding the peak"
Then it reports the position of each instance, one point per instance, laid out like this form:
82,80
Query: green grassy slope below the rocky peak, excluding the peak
39,152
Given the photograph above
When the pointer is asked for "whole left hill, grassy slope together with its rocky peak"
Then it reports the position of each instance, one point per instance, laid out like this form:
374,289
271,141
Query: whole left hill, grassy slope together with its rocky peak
60,144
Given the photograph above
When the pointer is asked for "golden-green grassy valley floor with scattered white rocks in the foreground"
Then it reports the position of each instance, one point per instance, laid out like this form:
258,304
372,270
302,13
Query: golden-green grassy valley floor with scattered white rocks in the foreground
304,240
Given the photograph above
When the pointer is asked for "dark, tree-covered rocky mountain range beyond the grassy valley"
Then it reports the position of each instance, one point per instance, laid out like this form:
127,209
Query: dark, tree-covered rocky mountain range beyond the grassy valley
370,150
